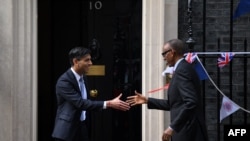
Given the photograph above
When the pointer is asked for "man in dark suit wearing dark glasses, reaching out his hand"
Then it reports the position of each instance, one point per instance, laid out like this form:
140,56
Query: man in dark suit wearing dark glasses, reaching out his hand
184,99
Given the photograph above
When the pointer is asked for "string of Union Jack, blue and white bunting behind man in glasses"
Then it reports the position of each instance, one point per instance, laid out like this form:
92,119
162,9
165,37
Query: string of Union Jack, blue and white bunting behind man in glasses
228,107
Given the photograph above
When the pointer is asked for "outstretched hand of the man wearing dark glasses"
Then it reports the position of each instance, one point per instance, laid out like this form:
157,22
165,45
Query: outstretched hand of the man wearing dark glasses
137,99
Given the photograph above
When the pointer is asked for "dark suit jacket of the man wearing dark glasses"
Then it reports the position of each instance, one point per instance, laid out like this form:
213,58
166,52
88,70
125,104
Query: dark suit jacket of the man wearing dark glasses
185,105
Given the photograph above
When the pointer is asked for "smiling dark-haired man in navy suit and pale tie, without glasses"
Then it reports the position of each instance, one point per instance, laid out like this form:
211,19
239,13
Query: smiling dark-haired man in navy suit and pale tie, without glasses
72,101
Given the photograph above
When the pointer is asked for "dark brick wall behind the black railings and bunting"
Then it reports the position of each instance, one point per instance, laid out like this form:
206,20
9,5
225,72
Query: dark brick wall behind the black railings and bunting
211,25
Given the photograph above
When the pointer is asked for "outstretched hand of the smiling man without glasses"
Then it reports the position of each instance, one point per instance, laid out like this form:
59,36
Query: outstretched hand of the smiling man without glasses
118,104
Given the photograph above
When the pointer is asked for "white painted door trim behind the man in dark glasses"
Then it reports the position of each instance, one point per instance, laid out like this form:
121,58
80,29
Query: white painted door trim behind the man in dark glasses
158,25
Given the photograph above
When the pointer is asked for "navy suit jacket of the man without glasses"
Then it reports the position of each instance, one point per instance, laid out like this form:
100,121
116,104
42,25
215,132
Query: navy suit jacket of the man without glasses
70,105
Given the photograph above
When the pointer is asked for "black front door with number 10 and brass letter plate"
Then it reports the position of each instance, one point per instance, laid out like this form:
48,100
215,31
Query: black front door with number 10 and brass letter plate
112,30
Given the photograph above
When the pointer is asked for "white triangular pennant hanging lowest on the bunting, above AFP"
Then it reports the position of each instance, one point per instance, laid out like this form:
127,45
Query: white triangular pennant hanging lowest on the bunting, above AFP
227,108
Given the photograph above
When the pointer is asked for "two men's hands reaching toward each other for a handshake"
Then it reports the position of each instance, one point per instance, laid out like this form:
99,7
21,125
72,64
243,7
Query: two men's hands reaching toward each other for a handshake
118,104
